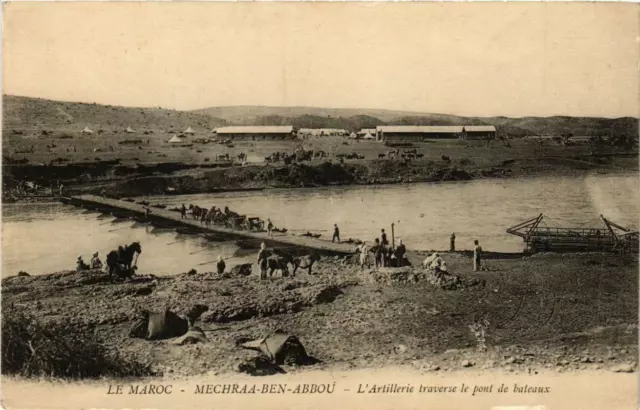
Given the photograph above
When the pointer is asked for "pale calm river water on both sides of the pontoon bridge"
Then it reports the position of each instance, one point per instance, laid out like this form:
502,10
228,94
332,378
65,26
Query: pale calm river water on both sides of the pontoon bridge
44,238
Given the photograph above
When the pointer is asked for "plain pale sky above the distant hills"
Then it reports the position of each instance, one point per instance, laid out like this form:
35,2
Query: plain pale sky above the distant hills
484,59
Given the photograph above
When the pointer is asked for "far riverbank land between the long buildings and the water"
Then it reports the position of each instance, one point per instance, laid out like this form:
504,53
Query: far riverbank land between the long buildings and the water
151,166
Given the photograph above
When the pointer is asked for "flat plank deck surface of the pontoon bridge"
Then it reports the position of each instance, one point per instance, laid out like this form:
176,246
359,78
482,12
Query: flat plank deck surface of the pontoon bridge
160,215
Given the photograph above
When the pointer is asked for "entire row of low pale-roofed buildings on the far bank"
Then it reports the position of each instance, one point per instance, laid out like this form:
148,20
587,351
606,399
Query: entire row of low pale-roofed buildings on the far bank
382,133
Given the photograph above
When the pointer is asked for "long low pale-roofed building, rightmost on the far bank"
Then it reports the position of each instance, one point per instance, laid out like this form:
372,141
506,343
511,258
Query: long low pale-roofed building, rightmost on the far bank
416,133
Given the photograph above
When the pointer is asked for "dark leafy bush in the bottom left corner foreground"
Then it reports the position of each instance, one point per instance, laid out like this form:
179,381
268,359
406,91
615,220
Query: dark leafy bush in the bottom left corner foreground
33,349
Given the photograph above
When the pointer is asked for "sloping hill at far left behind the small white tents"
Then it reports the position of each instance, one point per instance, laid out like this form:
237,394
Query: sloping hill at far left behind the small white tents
36,113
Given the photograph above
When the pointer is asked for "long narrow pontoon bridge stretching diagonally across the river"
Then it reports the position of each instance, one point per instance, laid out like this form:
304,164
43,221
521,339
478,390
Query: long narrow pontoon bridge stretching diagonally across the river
171,219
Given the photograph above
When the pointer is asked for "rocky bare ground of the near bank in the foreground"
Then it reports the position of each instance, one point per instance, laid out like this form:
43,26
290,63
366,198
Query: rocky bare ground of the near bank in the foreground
548,311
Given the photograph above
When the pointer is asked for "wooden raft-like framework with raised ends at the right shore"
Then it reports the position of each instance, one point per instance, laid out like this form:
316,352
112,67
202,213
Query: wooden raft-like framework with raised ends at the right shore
610,237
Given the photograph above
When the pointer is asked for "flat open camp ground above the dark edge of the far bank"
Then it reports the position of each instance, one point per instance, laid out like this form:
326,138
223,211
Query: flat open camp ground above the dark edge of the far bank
74,147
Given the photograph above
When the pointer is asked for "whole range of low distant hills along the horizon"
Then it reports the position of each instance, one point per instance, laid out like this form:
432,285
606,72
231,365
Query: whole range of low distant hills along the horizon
36,113
